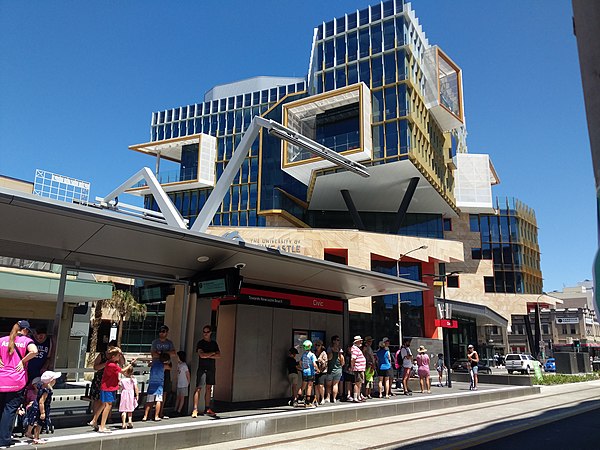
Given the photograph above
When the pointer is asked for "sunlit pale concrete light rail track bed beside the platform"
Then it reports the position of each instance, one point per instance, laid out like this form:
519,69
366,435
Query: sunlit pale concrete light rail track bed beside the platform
450,428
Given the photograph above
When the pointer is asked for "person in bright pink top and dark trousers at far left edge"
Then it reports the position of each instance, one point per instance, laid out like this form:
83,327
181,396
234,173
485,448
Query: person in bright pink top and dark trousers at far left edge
16,350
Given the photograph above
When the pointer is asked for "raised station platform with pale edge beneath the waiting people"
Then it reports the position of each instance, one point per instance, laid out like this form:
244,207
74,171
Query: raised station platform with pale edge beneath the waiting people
246,422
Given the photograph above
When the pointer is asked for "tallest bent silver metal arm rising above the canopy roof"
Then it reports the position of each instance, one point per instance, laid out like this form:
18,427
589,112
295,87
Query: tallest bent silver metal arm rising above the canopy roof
241,151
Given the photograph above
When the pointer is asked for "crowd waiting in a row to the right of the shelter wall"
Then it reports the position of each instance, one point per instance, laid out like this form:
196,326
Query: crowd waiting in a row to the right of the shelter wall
328,375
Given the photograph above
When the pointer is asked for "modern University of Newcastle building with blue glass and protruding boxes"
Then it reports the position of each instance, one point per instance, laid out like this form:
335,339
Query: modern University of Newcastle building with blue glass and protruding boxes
378,92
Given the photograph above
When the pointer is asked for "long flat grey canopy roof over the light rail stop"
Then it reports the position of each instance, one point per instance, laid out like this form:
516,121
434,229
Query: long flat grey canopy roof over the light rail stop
106,241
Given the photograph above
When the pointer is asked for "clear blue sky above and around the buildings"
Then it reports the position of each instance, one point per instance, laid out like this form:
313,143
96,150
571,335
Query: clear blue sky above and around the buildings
79,82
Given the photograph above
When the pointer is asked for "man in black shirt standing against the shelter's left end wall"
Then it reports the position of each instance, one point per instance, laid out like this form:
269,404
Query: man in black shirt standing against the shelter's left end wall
208,351
